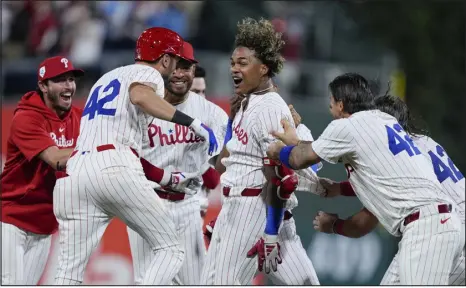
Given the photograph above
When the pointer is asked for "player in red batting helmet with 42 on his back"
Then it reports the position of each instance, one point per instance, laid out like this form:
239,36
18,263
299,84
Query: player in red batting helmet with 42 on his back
106,178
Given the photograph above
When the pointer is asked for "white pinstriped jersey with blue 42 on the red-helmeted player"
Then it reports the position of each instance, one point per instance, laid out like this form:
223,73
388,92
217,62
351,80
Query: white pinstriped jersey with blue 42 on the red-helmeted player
109,117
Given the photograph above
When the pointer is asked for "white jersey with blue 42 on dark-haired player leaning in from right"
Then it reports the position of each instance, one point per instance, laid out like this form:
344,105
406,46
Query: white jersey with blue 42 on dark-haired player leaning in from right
387,171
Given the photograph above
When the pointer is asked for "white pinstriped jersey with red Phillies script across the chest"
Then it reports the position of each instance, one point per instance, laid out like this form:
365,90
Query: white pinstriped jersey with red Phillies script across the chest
176,148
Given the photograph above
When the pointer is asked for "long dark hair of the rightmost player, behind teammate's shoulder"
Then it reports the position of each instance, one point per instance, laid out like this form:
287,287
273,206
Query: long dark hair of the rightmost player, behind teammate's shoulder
393,105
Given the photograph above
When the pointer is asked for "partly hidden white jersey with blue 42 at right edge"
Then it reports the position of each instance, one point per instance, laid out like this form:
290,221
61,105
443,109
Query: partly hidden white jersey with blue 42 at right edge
451,179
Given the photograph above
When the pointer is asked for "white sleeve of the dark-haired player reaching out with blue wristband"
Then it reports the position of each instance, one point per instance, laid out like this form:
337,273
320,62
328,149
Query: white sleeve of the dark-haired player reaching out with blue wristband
335,142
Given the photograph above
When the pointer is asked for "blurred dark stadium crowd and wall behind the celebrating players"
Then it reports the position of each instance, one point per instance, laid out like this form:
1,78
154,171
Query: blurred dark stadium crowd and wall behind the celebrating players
416,46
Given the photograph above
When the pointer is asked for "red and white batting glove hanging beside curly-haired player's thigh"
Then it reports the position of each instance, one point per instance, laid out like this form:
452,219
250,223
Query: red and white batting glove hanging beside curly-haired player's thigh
267,250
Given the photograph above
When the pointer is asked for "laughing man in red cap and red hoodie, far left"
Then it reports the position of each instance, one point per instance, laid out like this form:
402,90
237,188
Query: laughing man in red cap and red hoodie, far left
43,133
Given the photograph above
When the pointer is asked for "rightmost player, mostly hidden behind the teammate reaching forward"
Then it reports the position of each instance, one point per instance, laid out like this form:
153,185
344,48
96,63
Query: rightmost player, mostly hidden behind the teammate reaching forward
363,222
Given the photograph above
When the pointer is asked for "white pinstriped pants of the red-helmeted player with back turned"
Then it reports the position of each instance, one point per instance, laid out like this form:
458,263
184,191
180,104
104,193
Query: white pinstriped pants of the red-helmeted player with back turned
112,184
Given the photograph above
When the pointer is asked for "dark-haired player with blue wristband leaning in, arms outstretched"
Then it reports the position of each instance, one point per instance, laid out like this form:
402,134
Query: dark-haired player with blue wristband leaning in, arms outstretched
390,177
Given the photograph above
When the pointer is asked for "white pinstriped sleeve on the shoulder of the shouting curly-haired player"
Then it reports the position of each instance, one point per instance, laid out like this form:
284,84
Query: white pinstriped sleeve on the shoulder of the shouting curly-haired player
269,120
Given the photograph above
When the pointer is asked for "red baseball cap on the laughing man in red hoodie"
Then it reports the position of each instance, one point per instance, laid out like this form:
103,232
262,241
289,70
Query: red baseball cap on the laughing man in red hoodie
55,66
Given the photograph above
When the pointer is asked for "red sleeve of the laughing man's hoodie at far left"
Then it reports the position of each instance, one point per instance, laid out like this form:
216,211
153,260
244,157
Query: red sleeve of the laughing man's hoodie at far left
29,134
